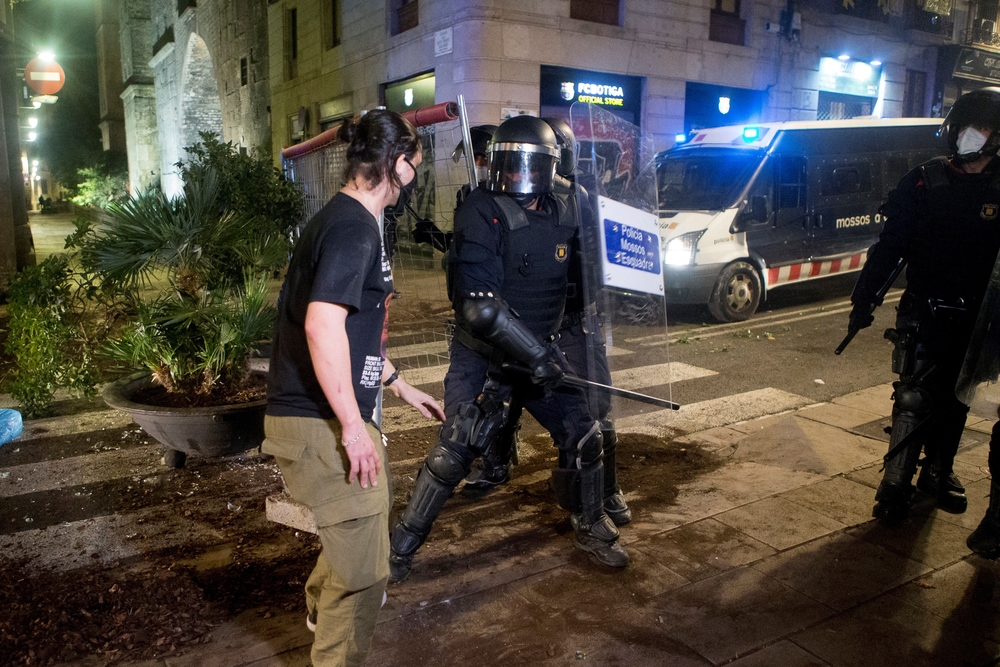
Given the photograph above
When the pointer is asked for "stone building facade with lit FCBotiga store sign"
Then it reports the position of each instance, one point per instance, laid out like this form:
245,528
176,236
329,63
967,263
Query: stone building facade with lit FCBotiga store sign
669,65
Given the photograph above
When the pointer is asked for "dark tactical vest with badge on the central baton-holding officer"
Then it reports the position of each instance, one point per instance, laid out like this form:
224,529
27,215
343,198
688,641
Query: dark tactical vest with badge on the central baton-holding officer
537,251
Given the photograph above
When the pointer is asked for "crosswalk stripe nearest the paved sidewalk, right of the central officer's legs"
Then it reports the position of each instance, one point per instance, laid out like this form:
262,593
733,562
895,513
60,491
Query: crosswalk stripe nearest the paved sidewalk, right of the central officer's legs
712,413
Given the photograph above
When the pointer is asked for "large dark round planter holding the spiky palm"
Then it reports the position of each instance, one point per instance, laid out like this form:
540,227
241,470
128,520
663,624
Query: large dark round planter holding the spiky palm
217,431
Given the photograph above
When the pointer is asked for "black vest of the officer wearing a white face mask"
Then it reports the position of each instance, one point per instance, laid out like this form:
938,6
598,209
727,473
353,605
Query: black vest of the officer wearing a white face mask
955,243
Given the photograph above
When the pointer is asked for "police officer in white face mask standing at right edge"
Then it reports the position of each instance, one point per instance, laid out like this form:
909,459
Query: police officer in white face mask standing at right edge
941,219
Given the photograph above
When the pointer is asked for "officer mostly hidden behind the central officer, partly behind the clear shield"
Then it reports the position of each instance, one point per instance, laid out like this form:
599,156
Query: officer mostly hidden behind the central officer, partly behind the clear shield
580,339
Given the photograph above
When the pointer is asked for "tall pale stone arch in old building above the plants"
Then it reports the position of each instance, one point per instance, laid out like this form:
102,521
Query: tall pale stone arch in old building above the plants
201,108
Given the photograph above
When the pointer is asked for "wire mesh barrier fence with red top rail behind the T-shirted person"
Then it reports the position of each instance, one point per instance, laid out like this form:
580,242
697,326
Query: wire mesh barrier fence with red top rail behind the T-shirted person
420,313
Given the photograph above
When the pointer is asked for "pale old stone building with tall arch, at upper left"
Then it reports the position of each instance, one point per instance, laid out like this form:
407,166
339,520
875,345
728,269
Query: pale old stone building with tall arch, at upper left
190,68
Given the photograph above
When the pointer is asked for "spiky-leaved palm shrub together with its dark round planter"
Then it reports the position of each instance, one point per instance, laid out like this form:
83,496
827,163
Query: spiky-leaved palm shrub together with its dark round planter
197,279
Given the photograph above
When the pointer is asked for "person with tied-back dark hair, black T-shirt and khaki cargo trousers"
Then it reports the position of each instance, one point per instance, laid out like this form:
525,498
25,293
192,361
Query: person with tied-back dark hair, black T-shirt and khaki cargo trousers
327,364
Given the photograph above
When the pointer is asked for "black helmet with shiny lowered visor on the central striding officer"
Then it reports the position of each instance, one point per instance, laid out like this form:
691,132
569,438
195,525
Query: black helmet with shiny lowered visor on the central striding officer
522,158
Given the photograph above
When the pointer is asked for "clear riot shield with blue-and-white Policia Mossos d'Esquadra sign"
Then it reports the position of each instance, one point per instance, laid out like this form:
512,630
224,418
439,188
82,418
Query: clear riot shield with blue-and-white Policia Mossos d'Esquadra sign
622,264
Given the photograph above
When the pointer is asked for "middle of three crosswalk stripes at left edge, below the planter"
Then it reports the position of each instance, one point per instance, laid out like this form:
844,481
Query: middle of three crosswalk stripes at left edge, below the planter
80,470
